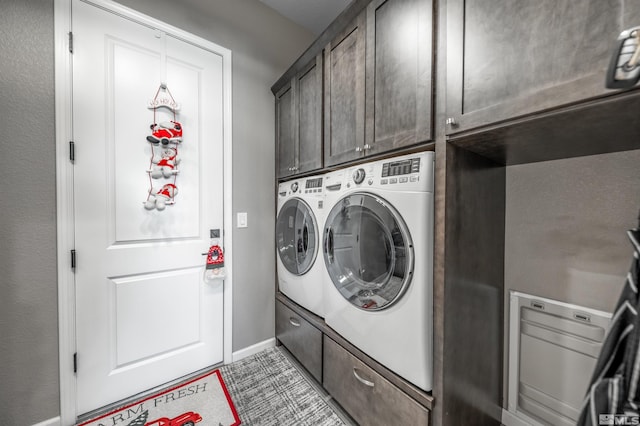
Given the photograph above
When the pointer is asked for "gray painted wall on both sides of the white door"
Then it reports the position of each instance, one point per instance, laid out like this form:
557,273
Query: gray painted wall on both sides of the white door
264,45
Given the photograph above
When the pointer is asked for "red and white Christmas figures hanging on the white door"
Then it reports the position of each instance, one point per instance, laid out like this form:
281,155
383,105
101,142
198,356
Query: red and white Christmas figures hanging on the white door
163,141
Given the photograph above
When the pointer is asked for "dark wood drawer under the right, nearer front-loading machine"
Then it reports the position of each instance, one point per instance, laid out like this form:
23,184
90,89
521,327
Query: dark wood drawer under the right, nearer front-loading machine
368,397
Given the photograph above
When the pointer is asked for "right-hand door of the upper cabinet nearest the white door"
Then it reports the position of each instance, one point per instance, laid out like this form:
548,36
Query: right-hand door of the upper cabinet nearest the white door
309,95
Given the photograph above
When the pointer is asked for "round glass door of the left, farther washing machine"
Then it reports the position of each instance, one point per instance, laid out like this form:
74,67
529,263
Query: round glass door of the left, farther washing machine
297,237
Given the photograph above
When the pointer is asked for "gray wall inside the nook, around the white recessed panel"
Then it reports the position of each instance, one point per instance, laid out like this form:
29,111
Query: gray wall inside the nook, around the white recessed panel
565,230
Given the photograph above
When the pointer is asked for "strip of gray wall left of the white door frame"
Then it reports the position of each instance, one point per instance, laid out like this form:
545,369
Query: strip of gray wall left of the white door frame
29,314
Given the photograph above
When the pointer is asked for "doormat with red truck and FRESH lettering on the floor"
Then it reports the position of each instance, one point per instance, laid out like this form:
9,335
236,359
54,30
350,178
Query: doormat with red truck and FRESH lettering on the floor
204,400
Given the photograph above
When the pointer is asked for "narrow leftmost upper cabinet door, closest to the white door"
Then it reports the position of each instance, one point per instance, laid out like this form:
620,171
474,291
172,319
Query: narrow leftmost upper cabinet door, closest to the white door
285,131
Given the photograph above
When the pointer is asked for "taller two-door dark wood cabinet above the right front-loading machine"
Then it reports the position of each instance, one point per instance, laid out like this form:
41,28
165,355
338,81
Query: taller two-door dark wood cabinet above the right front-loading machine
378,81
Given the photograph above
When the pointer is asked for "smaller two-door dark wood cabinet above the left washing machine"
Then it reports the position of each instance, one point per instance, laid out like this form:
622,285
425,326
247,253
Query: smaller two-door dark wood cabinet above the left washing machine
299,121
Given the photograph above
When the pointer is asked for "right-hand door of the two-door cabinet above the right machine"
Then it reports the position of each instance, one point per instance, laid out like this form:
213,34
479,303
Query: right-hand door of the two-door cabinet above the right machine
399,74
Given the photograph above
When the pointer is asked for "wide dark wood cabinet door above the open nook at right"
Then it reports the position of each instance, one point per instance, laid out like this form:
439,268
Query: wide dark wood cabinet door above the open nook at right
527,56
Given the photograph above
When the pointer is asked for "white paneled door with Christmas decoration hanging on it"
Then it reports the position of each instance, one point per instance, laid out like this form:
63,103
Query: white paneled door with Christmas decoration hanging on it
144,314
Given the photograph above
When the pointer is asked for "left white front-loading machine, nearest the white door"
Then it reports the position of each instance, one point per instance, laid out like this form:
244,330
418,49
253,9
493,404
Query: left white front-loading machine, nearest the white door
298,241
